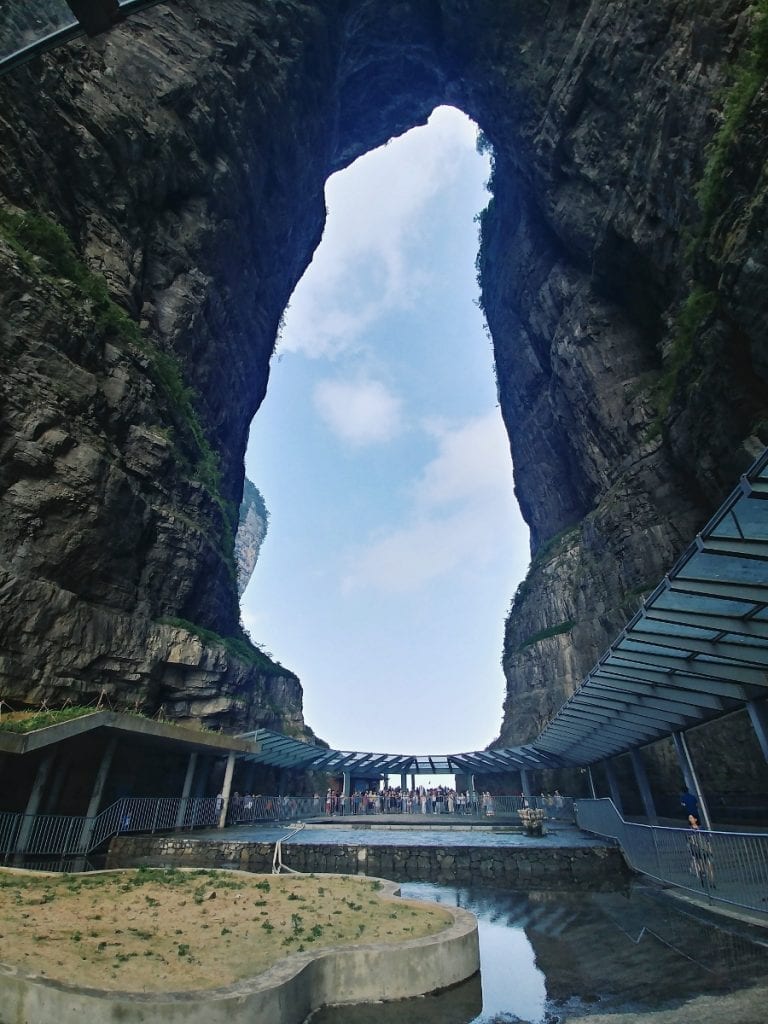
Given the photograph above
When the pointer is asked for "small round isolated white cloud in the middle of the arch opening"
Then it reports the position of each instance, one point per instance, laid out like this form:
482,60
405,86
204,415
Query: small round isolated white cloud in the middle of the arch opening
360,412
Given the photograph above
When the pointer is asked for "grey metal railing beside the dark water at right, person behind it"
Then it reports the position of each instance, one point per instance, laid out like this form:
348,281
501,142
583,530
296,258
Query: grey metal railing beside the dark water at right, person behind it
732,868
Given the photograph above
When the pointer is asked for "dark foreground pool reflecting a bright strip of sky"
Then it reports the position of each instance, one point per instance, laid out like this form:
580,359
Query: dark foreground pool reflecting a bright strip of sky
551,957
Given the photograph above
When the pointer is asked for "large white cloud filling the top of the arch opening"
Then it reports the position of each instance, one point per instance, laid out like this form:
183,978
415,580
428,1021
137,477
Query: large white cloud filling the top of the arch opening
374,217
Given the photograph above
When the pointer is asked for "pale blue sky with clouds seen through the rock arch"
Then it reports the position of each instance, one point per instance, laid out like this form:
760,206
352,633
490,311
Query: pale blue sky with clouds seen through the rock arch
395,542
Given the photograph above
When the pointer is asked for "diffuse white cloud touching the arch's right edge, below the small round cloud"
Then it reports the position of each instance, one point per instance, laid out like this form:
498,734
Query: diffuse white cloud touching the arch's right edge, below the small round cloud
463,513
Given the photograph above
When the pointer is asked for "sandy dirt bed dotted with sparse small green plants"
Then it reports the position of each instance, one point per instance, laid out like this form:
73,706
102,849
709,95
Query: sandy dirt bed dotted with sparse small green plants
156,930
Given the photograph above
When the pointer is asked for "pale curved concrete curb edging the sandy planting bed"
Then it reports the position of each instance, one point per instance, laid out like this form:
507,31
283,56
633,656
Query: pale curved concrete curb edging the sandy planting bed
286,994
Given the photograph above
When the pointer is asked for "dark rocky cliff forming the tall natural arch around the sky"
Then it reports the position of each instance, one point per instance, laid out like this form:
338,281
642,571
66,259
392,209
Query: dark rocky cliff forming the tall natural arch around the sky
185,156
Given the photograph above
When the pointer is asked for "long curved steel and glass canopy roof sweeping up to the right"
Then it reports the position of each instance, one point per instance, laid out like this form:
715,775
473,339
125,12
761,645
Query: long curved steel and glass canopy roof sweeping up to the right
697,651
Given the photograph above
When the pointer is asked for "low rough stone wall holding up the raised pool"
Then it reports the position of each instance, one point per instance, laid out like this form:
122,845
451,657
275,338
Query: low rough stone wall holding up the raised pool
520,866
